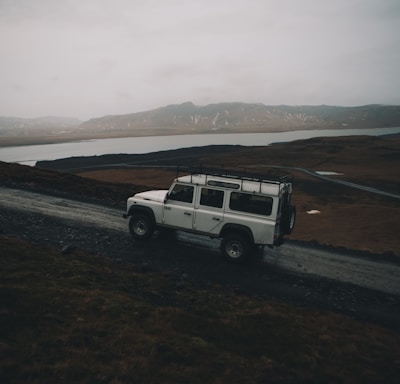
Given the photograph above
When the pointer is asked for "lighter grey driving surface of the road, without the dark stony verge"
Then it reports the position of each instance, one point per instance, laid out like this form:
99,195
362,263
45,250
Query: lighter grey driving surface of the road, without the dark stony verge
381,276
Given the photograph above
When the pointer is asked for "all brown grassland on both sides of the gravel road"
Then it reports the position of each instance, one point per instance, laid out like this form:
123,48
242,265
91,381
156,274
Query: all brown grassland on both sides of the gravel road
84,318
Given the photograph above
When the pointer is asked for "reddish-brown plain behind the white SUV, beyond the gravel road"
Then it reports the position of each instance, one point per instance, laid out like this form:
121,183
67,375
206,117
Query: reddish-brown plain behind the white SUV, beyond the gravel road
349,217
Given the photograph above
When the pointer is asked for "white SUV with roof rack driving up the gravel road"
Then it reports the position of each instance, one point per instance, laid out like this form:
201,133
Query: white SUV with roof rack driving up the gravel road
242,209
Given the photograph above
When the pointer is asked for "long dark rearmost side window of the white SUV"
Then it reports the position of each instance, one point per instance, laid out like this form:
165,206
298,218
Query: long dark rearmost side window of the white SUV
246,202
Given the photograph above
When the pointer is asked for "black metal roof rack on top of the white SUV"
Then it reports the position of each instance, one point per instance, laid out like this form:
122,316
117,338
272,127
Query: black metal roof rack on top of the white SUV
235,173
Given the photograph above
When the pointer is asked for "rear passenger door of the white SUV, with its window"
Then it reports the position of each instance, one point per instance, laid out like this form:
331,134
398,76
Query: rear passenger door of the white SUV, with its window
209,214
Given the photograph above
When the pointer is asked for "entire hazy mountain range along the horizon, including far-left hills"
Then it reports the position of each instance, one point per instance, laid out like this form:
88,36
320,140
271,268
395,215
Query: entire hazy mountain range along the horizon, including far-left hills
188,118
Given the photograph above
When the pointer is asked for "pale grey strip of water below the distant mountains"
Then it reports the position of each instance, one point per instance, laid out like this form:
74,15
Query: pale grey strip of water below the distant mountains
30,154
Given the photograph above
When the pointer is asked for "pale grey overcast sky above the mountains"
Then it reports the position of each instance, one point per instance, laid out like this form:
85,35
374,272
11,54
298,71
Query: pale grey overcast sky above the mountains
90,58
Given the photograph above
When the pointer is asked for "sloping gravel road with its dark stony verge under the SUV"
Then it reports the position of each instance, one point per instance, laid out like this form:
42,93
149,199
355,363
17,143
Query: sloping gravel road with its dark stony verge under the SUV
334,279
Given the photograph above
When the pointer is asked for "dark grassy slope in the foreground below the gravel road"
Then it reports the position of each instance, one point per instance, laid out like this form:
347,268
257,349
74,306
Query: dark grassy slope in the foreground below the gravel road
87,319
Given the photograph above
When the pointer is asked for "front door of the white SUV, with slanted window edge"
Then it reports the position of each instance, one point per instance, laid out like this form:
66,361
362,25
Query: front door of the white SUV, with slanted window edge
178,207
